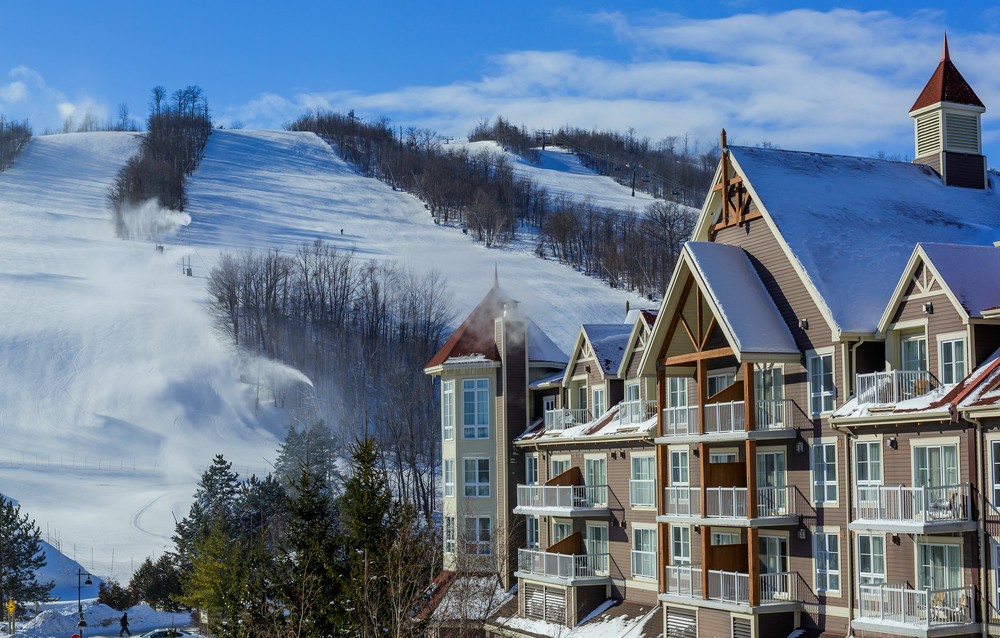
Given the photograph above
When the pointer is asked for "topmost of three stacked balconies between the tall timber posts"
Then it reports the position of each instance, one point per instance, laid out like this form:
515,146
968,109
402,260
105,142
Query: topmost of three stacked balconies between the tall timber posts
728,420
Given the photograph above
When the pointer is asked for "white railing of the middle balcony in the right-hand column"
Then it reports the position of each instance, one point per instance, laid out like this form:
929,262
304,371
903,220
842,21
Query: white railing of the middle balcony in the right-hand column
888,503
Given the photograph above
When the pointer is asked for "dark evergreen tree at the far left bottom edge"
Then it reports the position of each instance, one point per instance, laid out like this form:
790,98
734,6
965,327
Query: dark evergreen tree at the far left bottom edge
21,555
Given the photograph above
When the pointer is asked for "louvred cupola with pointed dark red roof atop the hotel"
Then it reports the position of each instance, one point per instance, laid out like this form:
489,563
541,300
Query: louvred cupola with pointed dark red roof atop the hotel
947,127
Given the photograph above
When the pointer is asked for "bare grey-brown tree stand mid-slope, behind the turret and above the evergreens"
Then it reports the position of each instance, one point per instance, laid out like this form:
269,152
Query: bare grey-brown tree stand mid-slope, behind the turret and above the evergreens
361,330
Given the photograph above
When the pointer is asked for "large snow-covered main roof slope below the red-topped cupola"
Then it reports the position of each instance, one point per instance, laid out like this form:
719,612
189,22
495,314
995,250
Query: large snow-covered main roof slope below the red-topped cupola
852,222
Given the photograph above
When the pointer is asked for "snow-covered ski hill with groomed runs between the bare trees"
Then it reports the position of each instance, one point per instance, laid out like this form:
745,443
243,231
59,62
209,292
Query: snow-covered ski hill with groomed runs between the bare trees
116,391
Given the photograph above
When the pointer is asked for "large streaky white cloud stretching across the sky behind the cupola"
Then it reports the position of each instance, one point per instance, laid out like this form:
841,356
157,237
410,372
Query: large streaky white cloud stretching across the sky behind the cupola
840,80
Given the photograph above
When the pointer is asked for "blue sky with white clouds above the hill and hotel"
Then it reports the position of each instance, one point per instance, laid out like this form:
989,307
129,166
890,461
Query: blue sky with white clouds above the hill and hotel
804,75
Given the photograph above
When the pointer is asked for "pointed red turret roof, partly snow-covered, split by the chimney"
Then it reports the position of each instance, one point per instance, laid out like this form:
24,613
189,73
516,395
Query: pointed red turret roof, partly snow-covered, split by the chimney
475,339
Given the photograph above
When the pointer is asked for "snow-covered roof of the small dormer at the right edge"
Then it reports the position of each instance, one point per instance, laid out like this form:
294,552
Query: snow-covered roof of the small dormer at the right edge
971,272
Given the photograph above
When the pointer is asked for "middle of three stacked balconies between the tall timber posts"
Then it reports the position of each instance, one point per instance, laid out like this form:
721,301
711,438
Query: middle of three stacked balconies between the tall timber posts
775,505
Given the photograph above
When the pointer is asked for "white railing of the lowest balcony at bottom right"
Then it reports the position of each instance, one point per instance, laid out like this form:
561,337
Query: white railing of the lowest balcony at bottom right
894,604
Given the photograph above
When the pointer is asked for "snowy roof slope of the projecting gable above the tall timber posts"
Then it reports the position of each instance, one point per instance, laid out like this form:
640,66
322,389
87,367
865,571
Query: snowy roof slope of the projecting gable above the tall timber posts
745,305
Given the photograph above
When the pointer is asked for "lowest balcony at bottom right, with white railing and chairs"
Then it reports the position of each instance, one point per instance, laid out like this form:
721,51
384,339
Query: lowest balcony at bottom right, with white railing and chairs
892,608
